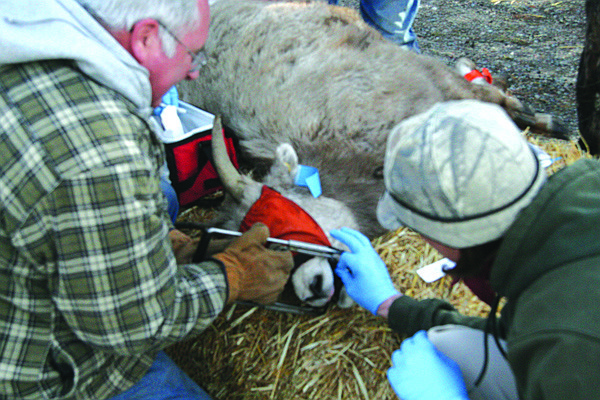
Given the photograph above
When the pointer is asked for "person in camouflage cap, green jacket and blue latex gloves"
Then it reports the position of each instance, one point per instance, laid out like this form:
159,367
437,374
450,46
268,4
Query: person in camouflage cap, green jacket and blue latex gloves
463,176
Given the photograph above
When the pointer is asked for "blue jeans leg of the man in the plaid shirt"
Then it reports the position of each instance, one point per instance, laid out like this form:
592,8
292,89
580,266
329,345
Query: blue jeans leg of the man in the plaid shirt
164,381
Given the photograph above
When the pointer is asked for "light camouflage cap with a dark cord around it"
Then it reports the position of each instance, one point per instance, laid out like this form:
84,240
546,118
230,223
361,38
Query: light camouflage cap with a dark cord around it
458,174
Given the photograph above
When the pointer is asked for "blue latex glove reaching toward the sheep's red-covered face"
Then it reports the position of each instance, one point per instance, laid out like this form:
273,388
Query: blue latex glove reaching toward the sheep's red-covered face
364,274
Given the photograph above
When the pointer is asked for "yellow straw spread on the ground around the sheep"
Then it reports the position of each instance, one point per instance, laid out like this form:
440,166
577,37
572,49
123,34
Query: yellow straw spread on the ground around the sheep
251,353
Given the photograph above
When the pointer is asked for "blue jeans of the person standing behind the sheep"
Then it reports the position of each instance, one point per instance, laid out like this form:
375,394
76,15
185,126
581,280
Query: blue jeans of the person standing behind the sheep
393,19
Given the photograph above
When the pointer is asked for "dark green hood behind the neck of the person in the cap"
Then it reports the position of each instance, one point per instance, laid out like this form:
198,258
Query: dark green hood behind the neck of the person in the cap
560,226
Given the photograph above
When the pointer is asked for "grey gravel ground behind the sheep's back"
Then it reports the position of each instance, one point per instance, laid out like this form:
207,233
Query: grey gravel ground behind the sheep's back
536,44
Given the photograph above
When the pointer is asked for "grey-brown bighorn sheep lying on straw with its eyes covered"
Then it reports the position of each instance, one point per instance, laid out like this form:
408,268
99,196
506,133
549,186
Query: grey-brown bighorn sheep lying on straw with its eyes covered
313,82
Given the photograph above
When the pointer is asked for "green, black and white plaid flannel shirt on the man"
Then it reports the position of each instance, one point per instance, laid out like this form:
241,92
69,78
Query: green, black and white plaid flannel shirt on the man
89,287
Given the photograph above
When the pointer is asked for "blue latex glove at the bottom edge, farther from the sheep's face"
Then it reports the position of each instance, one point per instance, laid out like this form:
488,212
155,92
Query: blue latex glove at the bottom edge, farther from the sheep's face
422,372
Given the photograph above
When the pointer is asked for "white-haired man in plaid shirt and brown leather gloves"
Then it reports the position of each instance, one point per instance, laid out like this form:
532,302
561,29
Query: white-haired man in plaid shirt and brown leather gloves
90,286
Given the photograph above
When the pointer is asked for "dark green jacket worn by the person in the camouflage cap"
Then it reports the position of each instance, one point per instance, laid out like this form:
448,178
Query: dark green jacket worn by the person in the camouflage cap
548,269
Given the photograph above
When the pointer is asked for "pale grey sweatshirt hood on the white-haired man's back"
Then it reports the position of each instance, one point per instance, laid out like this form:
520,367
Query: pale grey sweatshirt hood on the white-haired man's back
33,30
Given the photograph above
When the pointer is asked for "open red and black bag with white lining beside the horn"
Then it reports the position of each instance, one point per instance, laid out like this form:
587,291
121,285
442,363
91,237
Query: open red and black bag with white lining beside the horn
189,159
